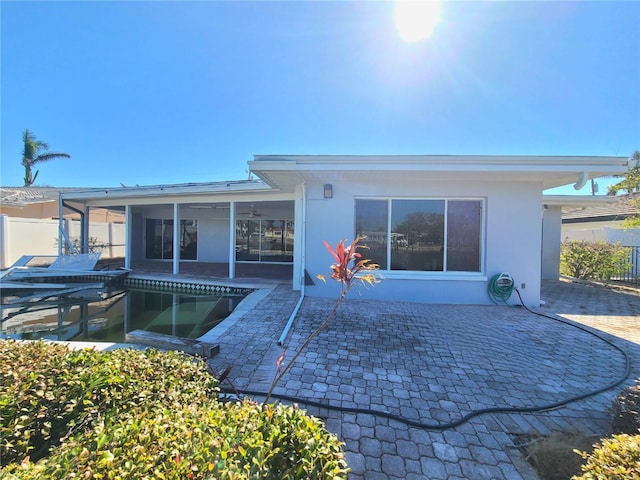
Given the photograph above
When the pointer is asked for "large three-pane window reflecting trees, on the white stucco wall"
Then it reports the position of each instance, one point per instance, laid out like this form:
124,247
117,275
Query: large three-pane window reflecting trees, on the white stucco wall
427,235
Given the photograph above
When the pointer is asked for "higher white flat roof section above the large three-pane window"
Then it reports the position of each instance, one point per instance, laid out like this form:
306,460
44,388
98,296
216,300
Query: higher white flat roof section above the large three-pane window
285,171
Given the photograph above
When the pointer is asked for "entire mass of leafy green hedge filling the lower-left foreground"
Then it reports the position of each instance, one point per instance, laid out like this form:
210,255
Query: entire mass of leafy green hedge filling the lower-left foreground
145,414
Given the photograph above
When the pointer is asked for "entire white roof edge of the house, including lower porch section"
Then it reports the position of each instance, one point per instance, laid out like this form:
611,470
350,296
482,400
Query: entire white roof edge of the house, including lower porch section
282,173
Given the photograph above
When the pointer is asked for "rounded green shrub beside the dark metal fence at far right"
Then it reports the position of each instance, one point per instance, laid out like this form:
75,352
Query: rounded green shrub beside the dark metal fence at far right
593,260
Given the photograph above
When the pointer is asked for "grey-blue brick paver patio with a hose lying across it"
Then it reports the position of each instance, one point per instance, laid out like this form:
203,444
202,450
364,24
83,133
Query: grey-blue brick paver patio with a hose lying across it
433,364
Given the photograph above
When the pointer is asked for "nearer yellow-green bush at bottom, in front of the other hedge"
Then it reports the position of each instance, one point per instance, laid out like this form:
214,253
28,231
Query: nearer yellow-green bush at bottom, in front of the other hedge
224,441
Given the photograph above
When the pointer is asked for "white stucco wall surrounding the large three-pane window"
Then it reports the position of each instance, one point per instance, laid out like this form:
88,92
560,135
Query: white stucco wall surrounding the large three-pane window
512,238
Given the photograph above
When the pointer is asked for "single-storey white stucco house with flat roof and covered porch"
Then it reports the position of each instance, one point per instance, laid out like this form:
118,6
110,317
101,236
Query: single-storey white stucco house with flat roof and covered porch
439,226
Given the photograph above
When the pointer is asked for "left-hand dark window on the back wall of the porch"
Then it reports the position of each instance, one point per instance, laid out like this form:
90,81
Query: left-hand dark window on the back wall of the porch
159,239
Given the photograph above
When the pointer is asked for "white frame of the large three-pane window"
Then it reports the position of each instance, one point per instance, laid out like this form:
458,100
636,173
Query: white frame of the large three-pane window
427,274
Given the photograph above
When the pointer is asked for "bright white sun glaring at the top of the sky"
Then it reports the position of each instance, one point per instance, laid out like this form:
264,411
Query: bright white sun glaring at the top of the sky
416,19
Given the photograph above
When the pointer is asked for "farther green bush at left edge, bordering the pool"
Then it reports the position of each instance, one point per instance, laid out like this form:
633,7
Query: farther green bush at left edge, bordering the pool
48,392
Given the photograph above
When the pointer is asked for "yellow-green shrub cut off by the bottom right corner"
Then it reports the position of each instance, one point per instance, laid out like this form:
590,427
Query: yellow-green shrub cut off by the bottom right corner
617,458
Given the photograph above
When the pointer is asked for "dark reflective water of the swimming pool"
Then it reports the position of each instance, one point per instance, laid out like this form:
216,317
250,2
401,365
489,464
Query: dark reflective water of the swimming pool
107,315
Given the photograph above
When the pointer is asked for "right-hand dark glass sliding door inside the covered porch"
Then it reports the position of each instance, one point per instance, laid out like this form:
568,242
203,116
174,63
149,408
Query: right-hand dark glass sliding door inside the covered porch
264,240
